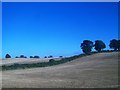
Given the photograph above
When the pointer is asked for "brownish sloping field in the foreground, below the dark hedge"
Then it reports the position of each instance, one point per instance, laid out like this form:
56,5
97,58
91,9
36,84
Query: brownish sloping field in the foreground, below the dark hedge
98,70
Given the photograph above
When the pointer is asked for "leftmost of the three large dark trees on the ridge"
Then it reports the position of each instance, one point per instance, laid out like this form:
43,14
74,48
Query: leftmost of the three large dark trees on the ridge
87,46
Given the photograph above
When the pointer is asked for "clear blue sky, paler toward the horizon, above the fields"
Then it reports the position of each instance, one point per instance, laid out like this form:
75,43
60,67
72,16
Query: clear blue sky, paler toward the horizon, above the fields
56,28
